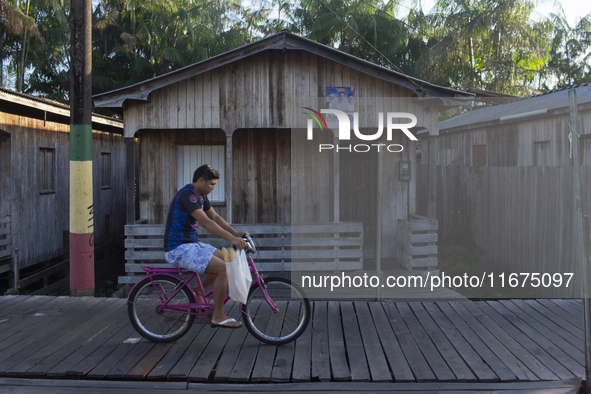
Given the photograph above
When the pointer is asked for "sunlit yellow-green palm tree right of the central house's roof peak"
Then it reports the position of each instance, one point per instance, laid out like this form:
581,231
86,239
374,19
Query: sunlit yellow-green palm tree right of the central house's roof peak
486,44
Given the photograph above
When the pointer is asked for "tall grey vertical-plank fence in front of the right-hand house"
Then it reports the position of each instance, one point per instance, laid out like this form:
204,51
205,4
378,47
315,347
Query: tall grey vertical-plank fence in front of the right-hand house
522,216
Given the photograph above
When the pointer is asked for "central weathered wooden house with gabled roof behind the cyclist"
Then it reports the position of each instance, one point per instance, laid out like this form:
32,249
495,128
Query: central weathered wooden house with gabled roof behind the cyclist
241,111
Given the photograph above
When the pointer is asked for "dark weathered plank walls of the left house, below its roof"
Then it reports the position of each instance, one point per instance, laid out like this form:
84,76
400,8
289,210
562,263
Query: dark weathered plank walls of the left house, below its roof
38,220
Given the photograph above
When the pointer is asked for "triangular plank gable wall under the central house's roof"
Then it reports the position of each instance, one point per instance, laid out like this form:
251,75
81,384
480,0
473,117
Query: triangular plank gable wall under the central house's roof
266,90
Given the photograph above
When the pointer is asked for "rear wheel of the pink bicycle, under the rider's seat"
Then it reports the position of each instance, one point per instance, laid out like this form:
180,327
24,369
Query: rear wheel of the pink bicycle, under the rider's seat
156,323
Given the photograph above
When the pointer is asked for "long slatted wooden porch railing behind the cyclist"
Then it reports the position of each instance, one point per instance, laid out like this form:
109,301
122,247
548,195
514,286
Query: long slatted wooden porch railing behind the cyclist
330,246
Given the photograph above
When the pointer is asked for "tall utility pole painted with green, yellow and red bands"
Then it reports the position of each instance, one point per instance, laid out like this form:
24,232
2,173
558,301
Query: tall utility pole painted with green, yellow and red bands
81,198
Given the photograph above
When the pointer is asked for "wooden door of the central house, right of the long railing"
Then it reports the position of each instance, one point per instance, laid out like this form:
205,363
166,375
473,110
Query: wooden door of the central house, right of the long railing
357,196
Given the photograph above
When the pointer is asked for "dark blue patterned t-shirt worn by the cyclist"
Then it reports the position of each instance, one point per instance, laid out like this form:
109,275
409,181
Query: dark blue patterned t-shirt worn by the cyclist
181,227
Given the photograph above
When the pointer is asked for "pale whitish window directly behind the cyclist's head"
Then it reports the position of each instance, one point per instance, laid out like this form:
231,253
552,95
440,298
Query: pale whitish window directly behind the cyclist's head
190,157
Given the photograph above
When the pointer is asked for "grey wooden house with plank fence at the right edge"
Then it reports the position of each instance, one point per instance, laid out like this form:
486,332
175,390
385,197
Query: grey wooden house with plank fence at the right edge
513,162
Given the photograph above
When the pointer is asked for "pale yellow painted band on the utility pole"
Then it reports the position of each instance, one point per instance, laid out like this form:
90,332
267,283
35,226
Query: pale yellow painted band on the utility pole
81,209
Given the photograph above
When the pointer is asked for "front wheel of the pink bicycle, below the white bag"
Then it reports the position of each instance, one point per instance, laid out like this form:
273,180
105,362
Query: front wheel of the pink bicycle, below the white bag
283,326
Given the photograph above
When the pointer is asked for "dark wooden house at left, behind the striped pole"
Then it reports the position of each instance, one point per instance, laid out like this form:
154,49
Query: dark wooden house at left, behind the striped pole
34,179
